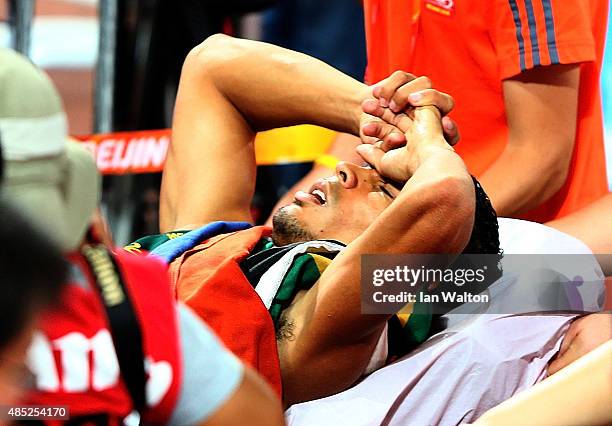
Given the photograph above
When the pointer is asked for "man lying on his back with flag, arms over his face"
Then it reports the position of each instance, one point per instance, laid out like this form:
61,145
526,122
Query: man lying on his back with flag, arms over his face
417,198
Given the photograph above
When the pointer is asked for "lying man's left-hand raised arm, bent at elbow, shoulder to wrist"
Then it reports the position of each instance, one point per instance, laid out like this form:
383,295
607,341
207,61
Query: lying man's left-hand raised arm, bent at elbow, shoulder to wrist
229,90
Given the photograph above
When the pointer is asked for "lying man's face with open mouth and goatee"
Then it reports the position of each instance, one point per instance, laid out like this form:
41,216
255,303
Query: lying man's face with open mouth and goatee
340,207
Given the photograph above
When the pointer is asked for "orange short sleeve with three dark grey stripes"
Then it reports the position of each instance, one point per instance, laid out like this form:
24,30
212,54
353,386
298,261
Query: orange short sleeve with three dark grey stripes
531,33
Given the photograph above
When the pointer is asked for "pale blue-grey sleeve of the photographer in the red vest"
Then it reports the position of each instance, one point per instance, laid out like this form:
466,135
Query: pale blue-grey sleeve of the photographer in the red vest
211,374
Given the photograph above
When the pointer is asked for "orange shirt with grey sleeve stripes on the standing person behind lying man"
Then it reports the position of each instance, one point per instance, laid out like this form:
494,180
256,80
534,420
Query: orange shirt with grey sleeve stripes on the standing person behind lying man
468,48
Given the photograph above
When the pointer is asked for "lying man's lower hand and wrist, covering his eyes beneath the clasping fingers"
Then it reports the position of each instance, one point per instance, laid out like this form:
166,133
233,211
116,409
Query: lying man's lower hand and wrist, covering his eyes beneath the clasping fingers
424,136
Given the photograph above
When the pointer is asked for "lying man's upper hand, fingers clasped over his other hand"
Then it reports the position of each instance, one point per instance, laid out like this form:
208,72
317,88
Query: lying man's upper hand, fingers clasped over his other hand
387,114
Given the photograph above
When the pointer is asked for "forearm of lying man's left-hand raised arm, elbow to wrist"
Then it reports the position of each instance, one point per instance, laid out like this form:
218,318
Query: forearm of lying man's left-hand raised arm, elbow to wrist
275,87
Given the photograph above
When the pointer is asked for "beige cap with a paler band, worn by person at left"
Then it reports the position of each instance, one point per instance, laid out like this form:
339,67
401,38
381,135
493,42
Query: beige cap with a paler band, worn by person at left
52,181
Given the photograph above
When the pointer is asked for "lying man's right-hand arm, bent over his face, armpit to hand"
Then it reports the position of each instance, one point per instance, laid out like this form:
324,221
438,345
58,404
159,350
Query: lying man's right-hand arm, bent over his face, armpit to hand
433,213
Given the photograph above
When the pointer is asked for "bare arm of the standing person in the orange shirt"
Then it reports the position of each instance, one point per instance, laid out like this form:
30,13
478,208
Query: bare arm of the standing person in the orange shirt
541,109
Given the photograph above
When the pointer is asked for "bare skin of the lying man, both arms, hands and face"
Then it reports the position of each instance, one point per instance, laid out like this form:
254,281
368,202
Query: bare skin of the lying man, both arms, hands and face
210,175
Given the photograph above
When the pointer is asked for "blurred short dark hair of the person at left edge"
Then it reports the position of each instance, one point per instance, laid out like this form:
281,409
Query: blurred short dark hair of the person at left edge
32,273
